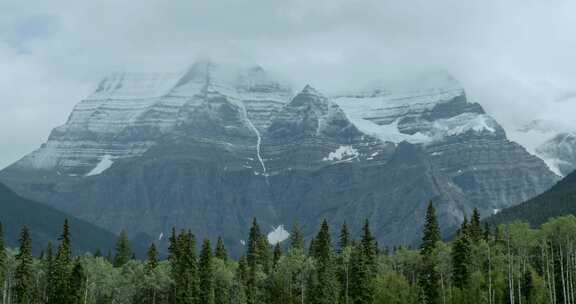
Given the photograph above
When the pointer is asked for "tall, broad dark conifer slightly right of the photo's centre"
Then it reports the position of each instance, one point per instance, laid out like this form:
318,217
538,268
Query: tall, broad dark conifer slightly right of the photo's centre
324,286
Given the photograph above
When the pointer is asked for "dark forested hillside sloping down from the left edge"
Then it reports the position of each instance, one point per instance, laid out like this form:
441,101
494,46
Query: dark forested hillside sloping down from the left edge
45,224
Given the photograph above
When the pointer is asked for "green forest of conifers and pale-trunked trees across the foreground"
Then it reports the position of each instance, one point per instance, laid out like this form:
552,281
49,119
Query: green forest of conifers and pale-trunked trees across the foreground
511,263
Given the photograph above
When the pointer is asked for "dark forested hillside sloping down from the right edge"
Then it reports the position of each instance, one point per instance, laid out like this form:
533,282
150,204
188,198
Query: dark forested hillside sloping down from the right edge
557,201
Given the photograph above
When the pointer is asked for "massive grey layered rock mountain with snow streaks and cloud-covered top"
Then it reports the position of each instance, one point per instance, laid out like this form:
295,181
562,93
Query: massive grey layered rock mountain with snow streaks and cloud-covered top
211,148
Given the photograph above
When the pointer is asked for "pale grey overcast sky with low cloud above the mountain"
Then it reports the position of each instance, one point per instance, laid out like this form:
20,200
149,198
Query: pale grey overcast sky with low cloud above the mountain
515,57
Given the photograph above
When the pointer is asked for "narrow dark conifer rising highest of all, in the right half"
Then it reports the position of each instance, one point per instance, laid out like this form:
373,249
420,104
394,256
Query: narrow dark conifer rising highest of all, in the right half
429,279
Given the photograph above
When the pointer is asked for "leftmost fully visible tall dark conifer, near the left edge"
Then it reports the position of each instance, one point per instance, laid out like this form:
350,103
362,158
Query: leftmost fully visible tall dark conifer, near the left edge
23,276
